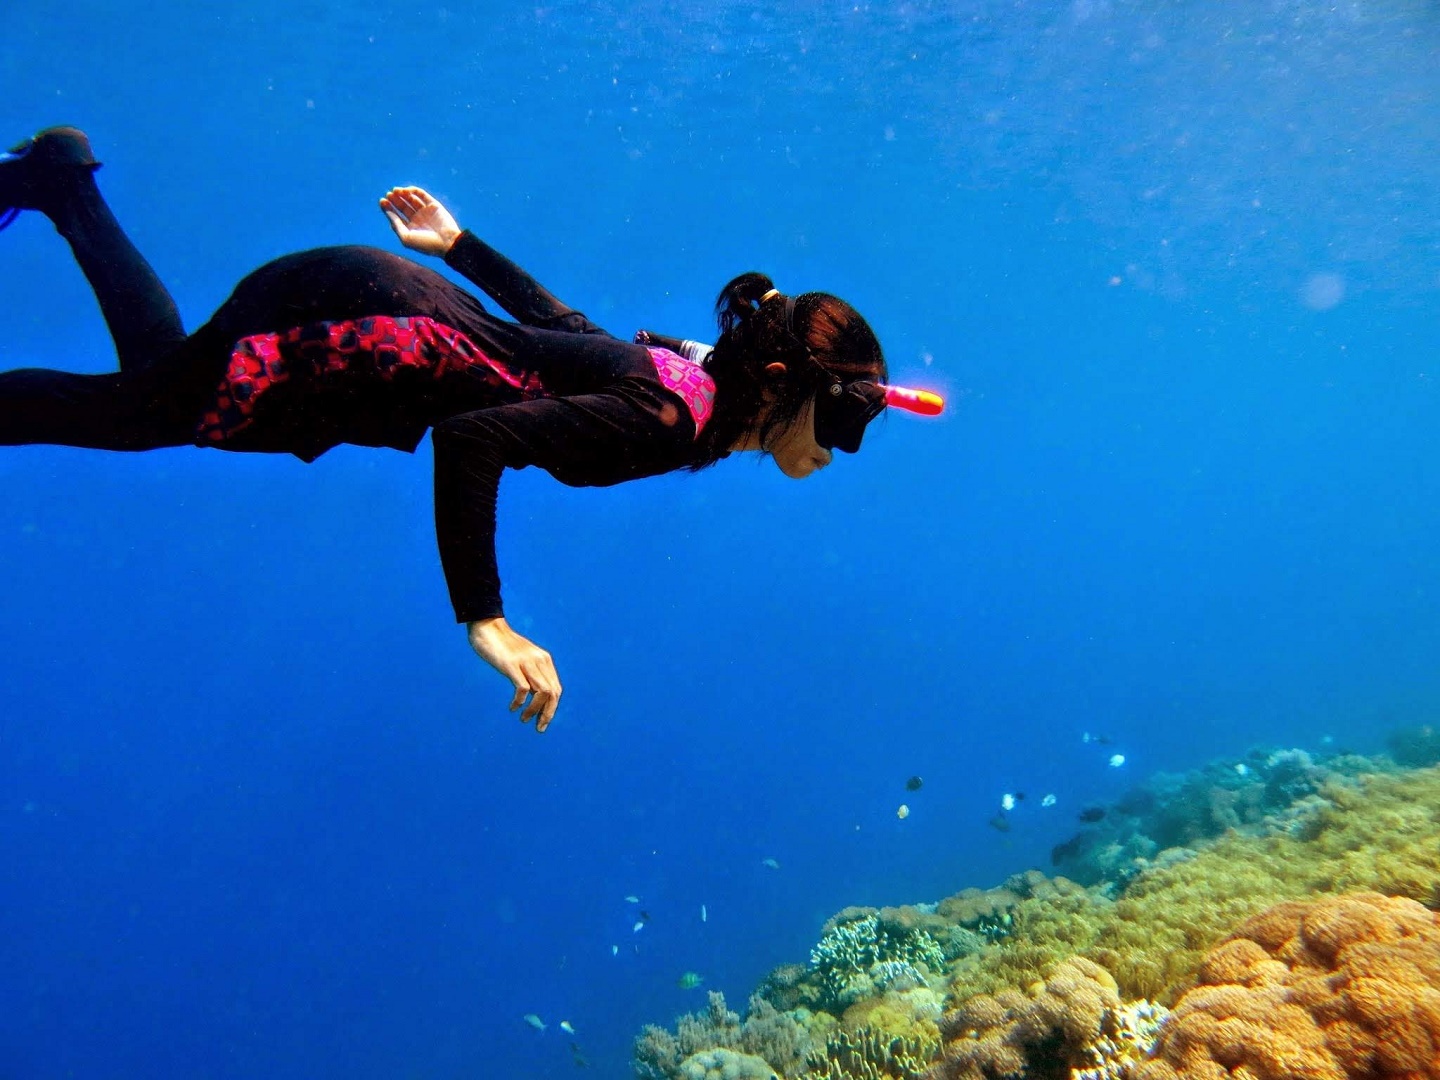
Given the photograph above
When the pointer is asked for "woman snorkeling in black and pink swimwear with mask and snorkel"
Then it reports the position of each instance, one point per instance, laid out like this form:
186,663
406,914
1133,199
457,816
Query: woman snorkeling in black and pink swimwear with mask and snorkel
355,345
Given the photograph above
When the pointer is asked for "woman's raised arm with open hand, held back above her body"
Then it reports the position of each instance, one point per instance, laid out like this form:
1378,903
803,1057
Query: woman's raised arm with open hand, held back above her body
427,227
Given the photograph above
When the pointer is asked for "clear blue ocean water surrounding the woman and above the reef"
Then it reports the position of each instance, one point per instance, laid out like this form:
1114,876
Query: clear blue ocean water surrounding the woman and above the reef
1176,266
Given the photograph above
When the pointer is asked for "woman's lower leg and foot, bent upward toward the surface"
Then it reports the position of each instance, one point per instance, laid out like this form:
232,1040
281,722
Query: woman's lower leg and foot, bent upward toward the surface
55,174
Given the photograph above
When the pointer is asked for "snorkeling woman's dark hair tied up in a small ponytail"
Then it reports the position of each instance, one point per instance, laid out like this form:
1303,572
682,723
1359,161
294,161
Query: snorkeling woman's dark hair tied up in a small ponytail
824,341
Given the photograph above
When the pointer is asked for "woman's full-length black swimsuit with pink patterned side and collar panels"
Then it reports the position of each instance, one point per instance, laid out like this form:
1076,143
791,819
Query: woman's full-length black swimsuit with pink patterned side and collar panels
318,332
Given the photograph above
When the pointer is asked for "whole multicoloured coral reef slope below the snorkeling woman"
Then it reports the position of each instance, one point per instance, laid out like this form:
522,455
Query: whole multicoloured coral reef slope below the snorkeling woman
1278,833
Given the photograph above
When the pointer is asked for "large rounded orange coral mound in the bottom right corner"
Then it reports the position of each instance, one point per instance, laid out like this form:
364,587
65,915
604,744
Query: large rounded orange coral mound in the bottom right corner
1340,989
